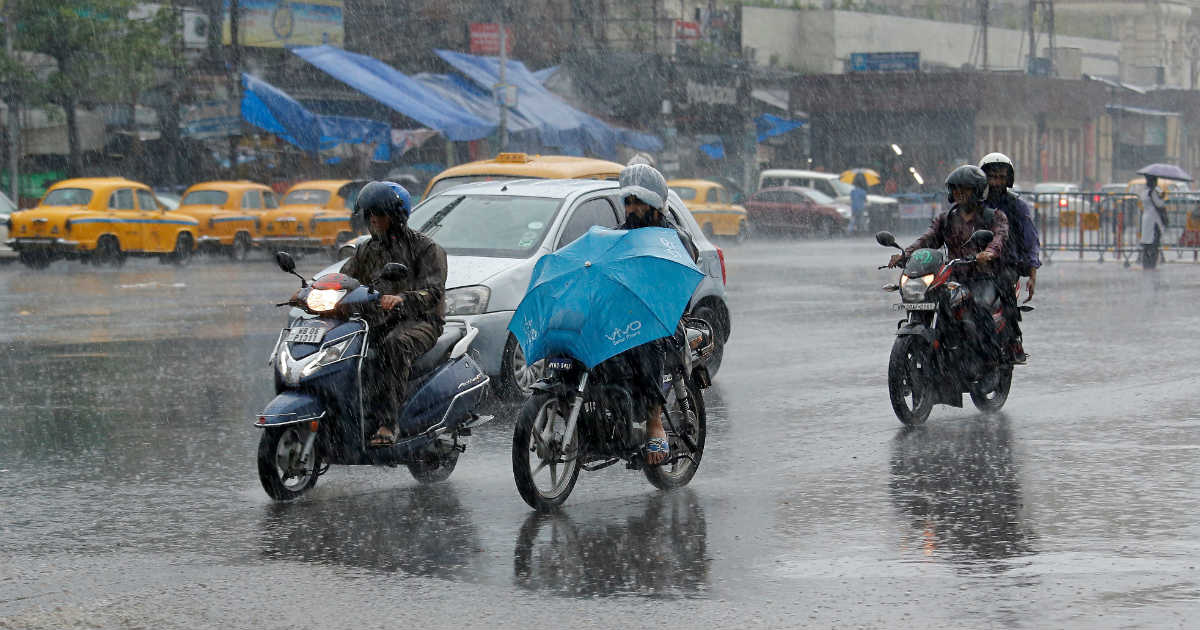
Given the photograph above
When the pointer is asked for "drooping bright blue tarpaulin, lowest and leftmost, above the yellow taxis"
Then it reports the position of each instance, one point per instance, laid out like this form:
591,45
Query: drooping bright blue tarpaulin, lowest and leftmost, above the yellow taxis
272,110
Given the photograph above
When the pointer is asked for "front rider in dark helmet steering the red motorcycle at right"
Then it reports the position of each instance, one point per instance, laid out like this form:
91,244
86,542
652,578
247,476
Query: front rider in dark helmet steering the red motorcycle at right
968,188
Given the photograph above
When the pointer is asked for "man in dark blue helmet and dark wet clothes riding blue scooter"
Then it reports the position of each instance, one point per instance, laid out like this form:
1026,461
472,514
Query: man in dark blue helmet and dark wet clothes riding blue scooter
413,308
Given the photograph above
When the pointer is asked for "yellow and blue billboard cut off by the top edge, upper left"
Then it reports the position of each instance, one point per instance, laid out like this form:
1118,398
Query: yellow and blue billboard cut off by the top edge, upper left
286,23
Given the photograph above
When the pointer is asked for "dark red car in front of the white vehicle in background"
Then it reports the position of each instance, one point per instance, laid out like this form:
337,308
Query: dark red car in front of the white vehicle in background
796,209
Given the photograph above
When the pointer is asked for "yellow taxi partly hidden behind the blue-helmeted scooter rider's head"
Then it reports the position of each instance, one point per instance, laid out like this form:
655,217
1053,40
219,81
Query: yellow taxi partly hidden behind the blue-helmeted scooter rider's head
314,215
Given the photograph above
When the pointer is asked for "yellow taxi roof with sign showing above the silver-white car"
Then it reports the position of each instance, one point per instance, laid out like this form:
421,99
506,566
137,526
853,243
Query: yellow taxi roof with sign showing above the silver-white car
523,166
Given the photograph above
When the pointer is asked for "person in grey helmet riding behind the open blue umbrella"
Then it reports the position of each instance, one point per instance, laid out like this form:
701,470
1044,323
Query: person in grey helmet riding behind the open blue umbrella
645,193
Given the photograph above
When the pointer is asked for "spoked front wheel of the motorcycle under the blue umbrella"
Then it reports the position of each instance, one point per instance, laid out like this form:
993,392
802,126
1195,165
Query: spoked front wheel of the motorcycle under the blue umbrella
543,473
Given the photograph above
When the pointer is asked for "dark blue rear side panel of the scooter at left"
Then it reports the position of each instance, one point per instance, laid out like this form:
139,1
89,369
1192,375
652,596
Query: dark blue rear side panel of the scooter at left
446,399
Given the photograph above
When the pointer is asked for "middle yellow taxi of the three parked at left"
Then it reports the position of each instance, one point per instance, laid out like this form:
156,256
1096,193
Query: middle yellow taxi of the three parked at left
230,214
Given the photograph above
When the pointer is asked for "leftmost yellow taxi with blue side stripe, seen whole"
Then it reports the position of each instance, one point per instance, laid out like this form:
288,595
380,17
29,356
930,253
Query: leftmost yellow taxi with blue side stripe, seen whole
101,220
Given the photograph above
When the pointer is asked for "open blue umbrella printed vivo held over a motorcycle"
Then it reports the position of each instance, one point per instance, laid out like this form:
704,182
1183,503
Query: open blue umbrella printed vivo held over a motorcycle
607,292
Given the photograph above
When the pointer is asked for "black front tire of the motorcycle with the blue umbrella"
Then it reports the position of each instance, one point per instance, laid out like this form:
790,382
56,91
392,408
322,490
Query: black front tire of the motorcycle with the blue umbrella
538,410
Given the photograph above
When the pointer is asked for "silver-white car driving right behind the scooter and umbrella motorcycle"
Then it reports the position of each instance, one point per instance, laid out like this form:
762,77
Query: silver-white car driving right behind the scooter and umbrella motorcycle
494,233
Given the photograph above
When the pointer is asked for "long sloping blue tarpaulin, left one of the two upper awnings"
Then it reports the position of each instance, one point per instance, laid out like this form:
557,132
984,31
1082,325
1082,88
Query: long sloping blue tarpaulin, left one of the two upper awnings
398,92
